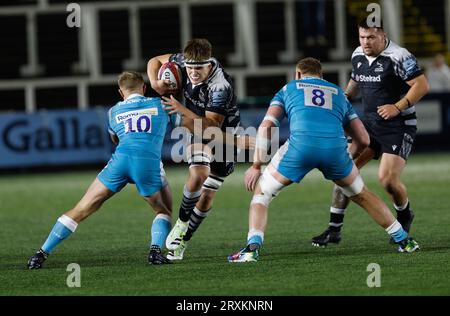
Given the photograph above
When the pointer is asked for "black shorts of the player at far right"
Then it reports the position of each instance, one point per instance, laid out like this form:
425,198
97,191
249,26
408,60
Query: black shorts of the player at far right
391,137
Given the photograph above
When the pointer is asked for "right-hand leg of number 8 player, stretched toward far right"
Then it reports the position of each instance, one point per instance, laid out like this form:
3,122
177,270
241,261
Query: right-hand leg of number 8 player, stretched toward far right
354,188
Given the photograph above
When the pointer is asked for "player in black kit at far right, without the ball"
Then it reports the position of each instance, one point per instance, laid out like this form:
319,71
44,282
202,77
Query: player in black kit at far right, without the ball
391,83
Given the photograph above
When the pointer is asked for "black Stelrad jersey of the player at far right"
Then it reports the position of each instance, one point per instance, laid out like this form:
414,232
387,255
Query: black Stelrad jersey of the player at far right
382,79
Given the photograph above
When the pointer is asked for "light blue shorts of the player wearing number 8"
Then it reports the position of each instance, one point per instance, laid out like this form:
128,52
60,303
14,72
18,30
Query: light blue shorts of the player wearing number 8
294,161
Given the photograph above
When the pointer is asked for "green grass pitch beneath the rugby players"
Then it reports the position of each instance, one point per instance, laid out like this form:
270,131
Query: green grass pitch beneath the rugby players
111,246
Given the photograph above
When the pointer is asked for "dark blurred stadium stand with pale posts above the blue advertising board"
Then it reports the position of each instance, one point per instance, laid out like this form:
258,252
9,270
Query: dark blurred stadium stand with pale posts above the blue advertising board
48,65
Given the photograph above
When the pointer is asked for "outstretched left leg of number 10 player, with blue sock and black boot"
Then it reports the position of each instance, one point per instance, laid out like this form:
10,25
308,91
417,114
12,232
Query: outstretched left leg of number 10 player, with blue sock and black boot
96,194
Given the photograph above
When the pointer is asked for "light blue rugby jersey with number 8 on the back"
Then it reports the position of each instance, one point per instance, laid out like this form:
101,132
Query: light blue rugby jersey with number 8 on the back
315,107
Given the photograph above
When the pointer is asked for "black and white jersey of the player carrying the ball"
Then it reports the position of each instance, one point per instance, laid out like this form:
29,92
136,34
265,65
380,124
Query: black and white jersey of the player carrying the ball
215,94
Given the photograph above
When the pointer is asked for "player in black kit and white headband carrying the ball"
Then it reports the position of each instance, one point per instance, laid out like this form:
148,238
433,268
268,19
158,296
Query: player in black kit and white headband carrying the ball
210,99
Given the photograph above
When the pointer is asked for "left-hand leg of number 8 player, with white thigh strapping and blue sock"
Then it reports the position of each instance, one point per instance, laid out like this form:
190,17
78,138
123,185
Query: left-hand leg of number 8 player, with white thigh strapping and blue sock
268,187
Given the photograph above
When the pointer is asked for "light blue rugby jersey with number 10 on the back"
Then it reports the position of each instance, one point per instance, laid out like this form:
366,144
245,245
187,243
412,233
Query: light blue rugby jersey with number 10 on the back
140,123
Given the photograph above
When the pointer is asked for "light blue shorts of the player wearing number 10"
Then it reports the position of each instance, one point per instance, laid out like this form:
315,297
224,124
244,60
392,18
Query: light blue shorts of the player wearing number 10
147,174
